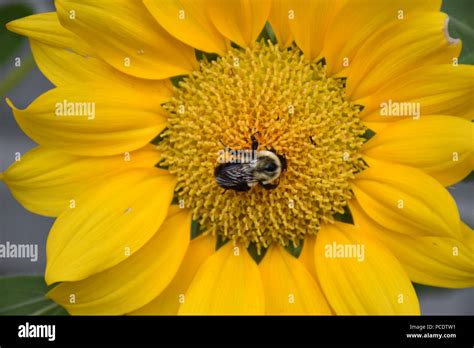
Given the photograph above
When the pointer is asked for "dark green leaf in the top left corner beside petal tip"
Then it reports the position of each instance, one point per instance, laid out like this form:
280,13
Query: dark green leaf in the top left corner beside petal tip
11,41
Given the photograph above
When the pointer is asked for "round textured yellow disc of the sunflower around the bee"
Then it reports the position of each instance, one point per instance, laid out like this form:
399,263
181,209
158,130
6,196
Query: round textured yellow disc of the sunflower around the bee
289,106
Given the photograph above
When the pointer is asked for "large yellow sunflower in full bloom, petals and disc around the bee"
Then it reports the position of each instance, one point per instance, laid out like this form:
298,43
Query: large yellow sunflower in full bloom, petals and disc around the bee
365,100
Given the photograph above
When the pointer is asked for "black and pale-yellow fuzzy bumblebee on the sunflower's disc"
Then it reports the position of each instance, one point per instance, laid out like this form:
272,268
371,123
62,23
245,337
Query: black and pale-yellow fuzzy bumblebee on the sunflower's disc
264,169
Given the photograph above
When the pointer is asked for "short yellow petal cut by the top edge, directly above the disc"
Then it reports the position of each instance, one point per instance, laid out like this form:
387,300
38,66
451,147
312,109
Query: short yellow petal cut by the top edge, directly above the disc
241,21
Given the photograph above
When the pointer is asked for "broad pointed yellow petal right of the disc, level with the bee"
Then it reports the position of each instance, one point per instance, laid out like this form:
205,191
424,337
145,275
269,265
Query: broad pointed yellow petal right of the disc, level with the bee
406,200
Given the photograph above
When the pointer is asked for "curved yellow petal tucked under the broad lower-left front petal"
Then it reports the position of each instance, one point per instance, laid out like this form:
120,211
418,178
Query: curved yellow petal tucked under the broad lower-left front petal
135,281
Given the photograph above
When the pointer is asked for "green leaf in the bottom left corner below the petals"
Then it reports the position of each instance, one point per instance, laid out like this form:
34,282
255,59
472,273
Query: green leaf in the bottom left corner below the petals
26,295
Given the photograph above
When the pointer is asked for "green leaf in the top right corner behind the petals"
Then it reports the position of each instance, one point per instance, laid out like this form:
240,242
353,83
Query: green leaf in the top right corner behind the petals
461,26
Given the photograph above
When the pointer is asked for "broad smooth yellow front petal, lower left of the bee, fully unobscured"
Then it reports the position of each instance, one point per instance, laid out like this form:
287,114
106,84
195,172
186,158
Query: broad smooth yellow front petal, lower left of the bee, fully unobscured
109,221
